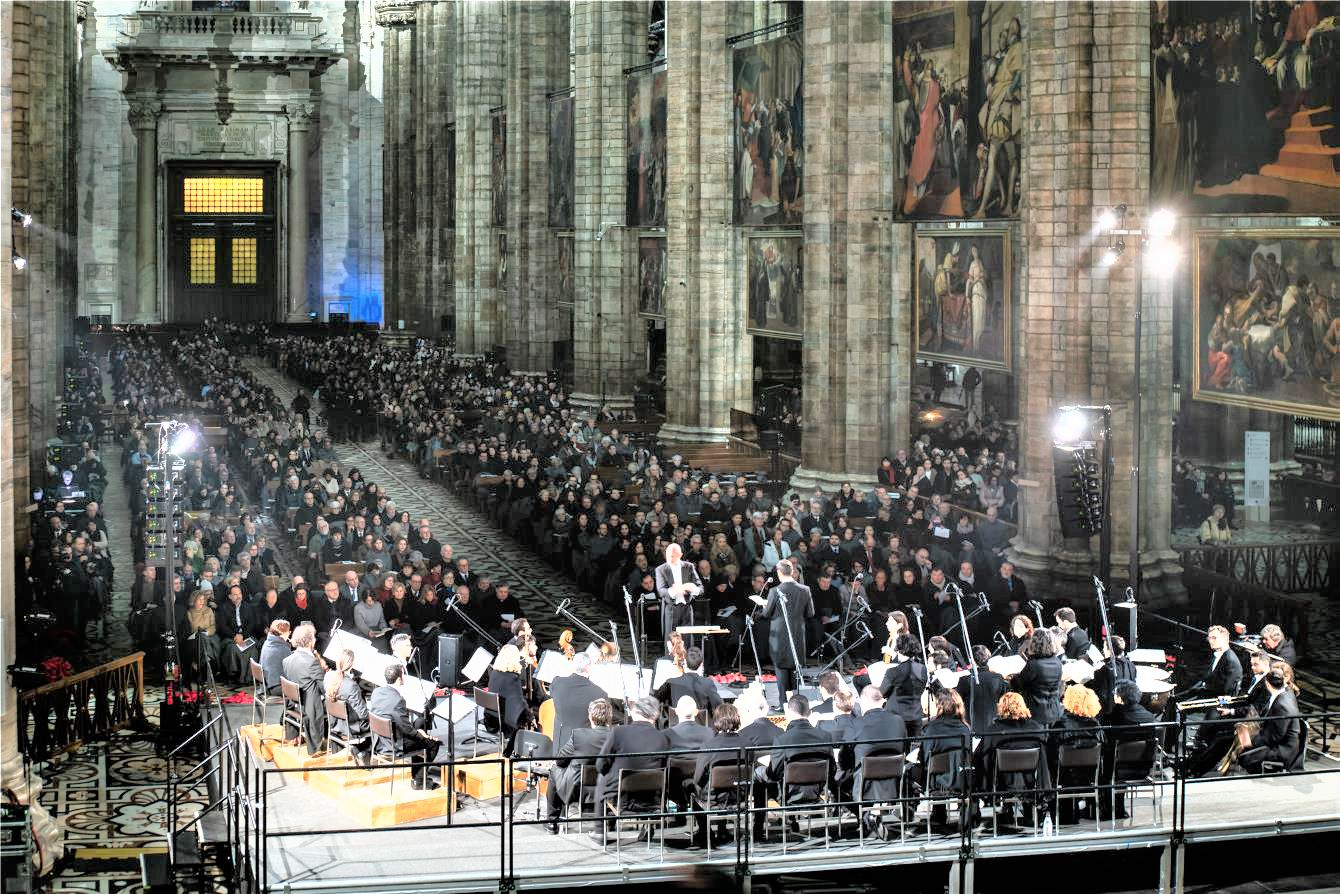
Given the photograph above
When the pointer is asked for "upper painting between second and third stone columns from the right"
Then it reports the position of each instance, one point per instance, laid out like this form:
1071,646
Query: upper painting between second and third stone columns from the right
768,132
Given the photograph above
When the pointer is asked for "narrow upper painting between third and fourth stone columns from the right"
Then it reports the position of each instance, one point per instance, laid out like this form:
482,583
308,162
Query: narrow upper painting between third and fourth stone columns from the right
647,141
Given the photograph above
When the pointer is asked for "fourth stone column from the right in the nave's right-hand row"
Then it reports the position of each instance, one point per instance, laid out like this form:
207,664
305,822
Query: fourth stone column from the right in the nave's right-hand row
609,36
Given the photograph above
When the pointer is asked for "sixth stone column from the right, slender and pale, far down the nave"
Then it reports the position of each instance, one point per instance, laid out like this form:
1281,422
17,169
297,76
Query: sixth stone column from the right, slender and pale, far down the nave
479,88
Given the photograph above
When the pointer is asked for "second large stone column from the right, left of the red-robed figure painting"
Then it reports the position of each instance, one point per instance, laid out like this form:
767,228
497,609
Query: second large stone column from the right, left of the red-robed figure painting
857,326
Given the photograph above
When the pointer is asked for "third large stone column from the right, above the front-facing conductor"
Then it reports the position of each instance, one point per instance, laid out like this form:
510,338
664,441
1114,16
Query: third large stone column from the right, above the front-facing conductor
710,352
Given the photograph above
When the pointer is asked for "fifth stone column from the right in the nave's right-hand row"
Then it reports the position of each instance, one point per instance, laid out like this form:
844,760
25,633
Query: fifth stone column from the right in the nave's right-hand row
542,29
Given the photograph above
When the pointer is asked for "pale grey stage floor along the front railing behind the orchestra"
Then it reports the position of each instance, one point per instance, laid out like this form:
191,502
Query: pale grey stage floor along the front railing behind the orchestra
411,858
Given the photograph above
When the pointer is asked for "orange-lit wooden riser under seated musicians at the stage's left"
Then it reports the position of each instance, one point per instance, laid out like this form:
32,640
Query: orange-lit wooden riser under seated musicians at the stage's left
377,797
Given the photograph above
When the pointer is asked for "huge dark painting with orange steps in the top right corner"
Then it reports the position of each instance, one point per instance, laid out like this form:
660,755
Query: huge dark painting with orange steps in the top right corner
1244,107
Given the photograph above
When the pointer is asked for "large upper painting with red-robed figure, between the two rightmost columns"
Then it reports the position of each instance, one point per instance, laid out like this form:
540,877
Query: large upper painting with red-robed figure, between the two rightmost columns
959,108
